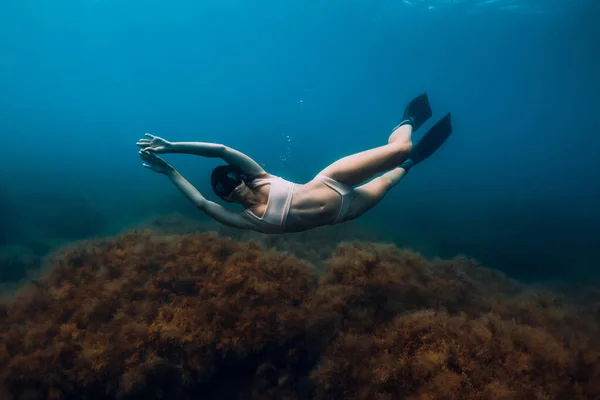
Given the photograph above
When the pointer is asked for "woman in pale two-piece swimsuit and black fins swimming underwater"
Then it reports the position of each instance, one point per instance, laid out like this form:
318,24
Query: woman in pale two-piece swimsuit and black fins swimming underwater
341,192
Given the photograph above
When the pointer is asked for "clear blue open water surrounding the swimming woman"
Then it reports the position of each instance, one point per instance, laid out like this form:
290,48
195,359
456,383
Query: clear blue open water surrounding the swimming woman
297,85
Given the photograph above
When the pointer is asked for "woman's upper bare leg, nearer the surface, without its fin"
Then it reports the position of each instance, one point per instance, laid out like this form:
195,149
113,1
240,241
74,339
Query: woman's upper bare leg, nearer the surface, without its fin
360,167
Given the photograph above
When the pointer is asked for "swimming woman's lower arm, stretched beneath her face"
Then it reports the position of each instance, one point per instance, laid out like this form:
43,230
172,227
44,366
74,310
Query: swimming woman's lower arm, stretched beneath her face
213,210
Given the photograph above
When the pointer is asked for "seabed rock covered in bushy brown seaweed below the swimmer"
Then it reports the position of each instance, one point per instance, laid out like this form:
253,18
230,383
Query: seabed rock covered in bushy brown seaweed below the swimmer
142,316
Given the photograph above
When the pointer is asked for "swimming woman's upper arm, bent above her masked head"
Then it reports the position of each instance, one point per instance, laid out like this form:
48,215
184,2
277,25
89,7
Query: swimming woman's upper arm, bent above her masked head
212,150
